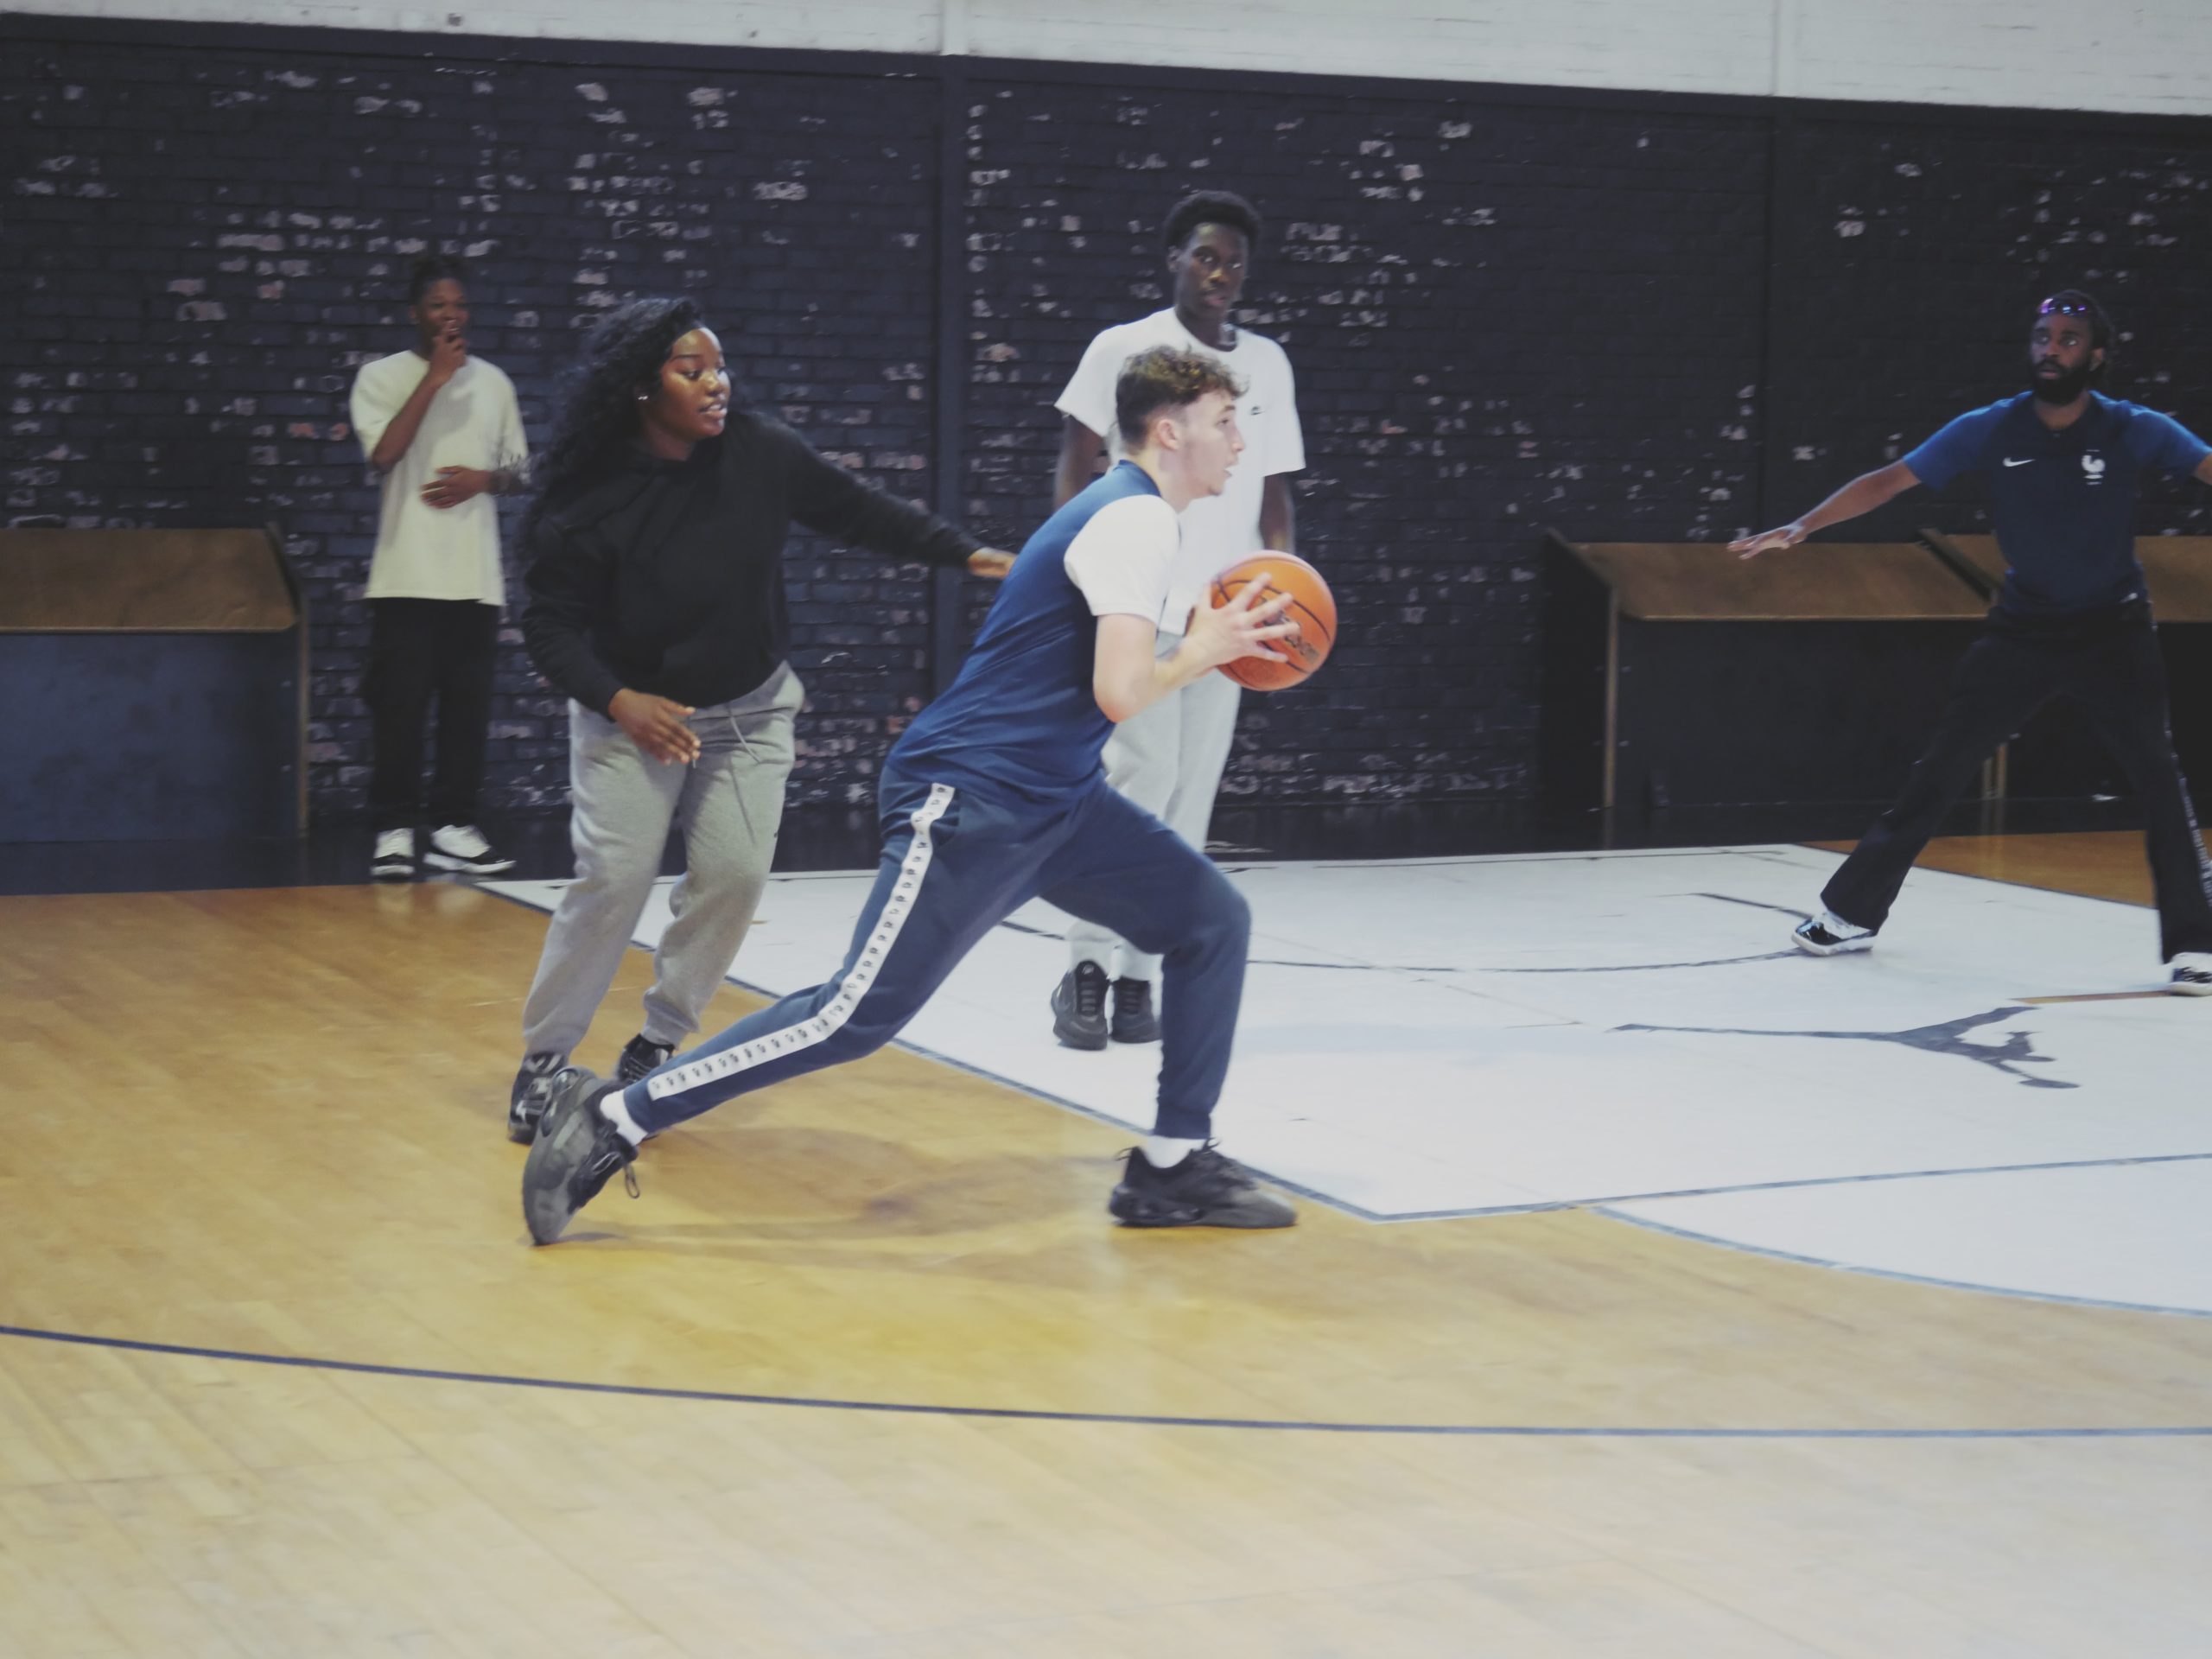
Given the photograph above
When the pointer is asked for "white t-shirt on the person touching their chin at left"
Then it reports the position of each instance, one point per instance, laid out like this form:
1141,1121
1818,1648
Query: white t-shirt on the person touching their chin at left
439,552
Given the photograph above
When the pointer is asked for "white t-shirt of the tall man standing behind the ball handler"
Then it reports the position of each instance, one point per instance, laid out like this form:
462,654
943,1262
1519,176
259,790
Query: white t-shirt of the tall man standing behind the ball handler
1218,530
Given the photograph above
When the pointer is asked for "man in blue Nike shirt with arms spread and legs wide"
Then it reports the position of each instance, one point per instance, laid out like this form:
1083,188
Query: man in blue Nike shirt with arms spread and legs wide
2074,620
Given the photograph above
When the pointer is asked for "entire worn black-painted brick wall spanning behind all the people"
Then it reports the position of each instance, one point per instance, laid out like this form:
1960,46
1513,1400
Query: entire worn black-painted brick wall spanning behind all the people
1636,324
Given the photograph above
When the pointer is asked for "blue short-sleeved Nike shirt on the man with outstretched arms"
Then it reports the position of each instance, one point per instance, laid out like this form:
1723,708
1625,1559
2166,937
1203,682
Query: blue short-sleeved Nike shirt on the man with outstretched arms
2063,501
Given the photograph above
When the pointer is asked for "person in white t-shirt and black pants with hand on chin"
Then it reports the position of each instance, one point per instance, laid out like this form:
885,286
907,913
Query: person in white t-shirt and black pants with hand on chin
446,435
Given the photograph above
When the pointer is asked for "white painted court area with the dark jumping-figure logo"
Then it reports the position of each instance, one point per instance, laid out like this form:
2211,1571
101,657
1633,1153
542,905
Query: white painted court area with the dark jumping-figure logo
1472,1036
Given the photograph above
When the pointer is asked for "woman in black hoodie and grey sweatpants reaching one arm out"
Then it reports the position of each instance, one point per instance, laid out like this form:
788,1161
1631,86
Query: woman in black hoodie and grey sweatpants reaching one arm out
656,603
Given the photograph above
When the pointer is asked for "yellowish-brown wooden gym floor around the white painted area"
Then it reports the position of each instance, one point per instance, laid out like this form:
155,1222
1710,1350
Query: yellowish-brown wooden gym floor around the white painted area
873,1377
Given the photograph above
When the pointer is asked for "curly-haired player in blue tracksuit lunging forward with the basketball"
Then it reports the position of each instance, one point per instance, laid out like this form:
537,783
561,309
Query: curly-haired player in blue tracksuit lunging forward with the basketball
994,797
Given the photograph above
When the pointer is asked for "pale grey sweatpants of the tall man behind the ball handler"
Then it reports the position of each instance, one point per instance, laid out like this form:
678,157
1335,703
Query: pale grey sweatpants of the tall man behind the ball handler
1169,762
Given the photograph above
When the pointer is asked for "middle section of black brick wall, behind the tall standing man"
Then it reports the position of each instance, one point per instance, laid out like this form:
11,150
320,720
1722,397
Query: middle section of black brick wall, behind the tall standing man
1479,306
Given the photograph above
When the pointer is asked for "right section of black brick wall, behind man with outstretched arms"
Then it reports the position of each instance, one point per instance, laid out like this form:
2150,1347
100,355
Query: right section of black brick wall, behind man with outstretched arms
1912,264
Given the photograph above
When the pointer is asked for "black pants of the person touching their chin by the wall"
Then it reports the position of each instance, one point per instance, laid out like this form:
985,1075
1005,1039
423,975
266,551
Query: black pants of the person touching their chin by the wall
421,651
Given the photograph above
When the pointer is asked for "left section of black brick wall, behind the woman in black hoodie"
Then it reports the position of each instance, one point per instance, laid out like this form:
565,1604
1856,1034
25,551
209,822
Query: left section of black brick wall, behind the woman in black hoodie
209,242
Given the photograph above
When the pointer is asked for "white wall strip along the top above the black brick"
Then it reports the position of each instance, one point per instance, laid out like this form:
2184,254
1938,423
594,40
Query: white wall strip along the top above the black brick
2045,54
